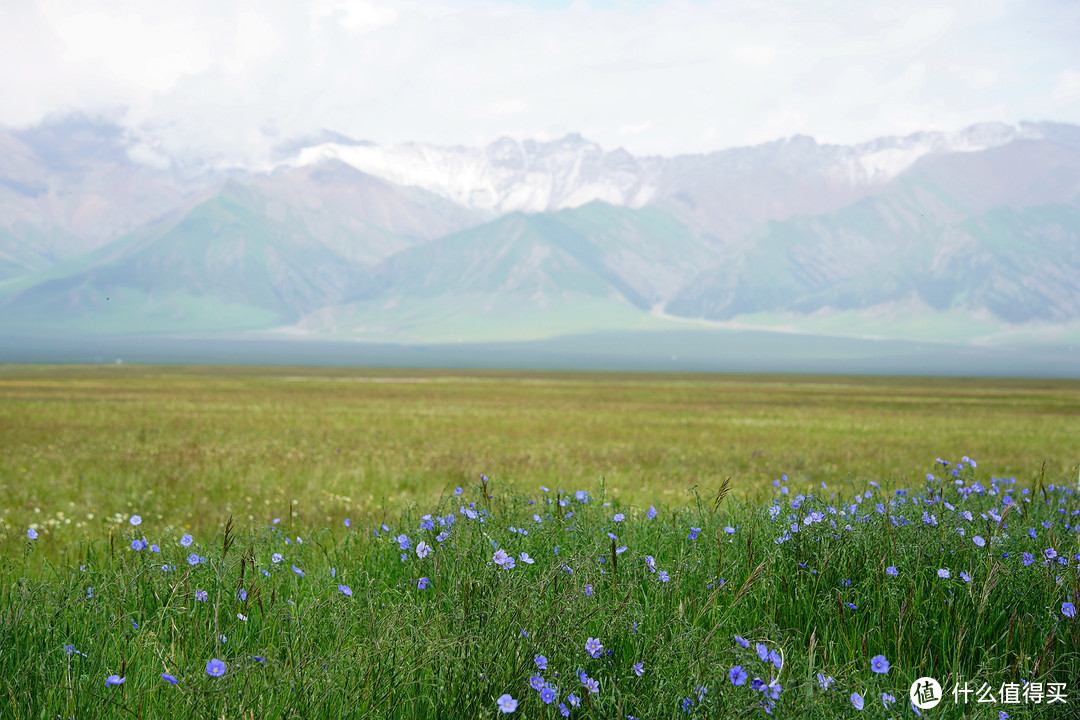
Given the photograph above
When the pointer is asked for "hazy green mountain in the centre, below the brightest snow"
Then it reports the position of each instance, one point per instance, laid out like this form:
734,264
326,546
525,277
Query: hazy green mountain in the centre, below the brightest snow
596,267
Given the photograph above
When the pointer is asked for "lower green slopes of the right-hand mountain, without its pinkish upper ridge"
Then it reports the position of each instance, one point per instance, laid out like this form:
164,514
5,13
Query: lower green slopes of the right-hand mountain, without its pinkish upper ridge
1017,266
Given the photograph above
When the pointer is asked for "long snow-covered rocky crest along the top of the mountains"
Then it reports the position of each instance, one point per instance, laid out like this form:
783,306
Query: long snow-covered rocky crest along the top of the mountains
511,175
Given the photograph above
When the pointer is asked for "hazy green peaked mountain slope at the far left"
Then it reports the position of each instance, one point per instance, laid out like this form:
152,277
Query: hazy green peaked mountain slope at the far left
222,266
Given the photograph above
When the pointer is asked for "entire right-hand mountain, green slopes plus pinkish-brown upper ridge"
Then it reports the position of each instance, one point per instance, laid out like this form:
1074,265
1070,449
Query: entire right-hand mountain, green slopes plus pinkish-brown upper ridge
956,235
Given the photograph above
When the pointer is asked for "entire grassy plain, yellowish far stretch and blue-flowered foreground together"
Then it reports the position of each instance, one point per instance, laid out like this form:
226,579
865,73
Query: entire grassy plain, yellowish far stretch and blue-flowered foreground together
821,582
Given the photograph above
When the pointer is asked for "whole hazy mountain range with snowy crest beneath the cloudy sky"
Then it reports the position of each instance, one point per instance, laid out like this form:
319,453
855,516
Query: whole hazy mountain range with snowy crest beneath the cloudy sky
961,238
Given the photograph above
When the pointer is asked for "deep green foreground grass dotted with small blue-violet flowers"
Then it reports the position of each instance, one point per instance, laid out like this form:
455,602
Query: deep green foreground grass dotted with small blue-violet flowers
565,604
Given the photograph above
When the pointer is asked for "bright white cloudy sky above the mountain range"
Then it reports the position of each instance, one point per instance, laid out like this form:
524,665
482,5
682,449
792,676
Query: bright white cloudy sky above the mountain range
227,80
